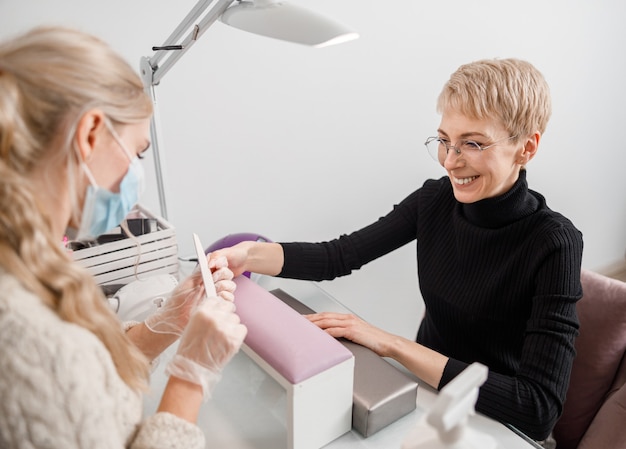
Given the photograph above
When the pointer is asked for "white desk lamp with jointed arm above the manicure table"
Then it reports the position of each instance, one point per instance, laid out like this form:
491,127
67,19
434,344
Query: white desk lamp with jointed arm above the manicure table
271,18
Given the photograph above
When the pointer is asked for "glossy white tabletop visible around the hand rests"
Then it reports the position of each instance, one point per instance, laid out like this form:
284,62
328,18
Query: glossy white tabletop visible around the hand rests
247,410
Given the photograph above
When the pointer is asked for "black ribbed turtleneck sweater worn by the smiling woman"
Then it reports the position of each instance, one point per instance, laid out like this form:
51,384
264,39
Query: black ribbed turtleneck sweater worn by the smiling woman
500,279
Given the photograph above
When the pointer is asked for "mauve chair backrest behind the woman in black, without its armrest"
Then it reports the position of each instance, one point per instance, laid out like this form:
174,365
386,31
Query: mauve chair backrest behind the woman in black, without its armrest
599,351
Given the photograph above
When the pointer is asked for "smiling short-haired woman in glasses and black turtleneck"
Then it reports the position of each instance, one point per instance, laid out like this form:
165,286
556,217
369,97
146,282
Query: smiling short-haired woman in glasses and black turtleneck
499,271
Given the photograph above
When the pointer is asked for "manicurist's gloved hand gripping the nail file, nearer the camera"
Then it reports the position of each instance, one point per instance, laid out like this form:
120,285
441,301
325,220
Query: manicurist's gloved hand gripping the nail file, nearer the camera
212,337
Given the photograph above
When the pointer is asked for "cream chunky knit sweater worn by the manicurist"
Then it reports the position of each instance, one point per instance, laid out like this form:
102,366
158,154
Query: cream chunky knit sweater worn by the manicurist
60,389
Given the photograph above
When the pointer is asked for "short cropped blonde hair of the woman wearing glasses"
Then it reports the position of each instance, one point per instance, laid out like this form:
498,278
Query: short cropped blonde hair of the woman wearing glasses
510,90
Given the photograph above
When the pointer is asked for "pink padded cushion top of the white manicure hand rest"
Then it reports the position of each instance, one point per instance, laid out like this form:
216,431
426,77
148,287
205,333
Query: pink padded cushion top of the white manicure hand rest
290,343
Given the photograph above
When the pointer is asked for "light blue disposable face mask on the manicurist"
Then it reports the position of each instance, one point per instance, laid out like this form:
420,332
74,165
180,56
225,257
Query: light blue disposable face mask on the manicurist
103,210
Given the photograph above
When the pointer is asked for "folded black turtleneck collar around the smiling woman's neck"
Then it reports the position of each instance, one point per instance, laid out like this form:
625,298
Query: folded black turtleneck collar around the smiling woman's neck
502,210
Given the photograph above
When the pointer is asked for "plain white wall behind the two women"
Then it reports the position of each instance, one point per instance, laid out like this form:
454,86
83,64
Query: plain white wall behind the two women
300,143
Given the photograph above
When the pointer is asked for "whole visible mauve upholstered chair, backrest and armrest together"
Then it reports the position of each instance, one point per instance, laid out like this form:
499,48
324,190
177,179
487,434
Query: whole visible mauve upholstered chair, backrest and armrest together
594,413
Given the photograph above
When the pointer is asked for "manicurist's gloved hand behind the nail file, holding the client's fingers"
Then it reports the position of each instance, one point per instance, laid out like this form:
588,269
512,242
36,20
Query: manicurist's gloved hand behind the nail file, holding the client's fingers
173,316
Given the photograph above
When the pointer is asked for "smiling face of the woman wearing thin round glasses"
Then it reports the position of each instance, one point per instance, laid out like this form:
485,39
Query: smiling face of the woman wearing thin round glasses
484,174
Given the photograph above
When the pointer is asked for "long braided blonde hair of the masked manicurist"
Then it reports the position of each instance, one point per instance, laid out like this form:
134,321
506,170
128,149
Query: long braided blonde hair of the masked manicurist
49,77
